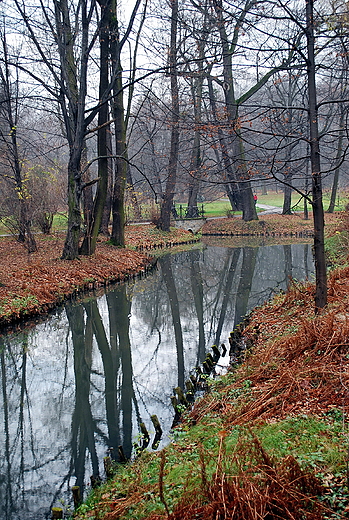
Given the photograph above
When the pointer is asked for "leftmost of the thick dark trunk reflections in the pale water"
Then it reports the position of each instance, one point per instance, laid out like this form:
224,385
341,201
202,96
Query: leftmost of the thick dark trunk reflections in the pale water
83,425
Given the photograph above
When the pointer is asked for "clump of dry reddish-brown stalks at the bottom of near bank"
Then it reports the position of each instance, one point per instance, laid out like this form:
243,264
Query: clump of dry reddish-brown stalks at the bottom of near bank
249,485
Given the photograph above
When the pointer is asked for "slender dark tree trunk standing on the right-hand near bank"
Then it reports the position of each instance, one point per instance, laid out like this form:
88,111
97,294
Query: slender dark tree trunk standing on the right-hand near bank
318,211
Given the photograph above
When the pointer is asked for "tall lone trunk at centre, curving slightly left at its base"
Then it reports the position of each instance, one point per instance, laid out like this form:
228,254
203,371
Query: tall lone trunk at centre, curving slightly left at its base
167,201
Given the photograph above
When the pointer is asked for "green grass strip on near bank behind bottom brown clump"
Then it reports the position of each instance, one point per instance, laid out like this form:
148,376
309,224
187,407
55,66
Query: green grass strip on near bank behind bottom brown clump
317,443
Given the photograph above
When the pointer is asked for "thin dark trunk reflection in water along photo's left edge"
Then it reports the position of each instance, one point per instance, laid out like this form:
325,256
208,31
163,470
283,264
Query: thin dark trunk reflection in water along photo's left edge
8,501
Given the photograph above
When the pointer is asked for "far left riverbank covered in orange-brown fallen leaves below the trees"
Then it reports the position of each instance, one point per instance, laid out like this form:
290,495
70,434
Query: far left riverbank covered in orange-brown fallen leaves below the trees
31,285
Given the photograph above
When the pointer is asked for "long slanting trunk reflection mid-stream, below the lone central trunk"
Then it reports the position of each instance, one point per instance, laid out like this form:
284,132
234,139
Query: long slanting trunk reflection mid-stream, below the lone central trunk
166,269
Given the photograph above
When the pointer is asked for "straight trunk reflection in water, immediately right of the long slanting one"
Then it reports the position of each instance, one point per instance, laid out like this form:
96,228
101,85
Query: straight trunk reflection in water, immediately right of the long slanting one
198,293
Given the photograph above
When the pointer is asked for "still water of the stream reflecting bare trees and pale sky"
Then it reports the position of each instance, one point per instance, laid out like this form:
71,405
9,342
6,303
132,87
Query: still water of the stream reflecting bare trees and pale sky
79,384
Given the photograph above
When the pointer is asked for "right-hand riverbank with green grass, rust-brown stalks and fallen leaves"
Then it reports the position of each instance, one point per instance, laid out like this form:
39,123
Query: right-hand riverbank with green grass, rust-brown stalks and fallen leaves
270,439
